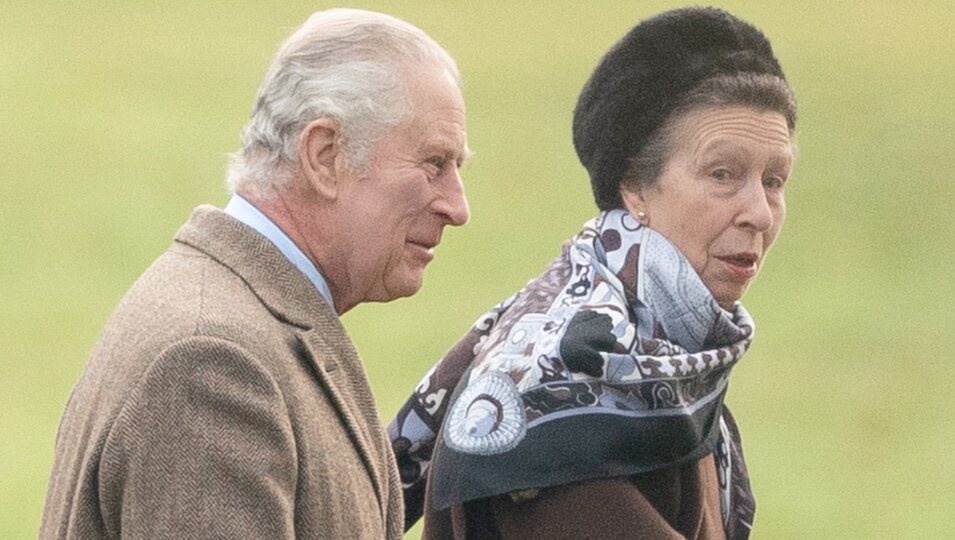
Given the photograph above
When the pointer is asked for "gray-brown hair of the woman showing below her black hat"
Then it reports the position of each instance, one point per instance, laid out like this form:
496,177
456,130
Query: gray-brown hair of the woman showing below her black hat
759,91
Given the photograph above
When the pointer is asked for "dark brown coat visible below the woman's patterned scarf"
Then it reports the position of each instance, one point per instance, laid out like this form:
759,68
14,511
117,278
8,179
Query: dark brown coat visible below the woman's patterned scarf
680,503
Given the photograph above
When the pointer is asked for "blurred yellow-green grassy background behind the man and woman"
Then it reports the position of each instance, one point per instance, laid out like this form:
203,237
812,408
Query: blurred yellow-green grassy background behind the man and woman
115,118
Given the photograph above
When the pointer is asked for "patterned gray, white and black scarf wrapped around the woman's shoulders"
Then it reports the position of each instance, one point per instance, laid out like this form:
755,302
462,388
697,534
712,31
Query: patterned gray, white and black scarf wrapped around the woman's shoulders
612,362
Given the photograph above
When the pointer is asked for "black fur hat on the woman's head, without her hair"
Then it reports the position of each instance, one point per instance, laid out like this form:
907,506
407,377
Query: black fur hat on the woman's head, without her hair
643,77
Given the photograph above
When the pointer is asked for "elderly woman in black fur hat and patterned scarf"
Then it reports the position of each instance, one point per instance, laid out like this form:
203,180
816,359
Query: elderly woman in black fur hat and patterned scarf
590,403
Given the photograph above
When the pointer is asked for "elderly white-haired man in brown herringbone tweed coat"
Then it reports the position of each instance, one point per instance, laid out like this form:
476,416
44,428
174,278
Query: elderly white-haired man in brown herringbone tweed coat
224,398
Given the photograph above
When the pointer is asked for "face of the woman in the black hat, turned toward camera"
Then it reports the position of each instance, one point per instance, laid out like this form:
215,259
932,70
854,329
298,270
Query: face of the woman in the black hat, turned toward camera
720,197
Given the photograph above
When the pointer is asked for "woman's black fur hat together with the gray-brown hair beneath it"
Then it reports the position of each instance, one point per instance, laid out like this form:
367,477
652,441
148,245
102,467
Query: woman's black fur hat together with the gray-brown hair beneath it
677,59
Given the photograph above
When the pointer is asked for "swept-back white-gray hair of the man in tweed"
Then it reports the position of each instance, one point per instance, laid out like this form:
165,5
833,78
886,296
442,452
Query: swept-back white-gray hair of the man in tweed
344,64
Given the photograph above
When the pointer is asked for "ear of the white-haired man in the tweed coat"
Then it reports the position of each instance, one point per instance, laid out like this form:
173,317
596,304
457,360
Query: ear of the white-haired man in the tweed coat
319,149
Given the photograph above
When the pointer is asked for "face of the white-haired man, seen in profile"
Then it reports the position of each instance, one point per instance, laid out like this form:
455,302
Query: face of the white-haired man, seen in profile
391,218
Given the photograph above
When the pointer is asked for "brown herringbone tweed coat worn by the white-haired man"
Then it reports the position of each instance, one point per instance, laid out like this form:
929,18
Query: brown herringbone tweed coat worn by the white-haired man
223,400
